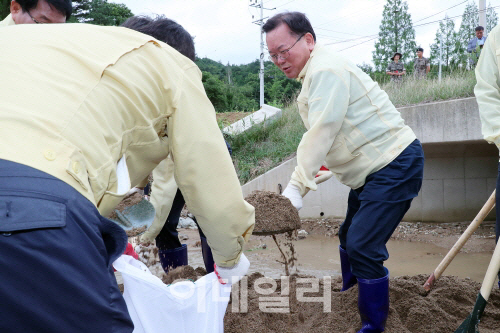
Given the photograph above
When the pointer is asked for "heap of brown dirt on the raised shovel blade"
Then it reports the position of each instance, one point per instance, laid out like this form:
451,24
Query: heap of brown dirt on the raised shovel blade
274,213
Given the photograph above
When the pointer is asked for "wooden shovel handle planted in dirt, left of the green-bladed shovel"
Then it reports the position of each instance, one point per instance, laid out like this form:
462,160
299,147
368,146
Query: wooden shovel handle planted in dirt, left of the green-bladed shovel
488,206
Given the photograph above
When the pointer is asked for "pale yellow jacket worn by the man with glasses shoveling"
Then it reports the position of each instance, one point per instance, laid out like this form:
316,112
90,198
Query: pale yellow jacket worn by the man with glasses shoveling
352,126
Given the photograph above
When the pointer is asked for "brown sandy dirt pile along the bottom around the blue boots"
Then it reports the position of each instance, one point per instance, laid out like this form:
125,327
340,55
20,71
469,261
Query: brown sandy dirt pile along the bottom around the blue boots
411,309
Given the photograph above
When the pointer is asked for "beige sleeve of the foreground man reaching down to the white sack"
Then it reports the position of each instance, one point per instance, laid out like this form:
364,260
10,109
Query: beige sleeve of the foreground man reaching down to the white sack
205,174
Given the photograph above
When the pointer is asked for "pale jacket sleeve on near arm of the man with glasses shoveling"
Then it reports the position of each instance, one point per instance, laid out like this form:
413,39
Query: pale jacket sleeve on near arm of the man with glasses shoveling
328,101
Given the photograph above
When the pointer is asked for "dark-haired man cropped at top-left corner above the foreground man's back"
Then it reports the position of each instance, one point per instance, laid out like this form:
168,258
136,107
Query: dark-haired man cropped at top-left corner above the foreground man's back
38,11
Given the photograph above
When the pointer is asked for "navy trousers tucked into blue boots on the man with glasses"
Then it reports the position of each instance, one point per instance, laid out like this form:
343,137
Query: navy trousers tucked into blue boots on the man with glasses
375,210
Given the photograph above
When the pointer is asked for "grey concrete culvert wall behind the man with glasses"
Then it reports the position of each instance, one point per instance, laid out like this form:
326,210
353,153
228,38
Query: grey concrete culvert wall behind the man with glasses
459,174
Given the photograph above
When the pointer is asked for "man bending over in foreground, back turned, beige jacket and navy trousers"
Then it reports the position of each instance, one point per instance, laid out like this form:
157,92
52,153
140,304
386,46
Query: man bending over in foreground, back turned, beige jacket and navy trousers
96,112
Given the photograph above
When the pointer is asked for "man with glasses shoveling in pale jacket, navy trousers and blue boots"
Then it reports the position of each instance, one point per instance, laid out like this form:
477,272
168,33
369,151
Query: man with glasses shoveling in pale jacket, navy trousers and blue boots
353,127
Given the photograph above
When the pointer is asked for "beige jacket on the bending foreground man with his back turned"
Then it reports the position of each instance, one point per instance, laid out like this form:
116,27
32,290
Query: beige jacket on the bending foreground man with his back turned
76,99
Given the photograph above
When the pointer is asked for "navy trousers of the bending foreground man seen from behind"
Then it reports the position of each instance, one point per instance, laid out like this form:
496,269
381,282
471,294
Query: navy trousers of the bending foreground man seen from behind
56,255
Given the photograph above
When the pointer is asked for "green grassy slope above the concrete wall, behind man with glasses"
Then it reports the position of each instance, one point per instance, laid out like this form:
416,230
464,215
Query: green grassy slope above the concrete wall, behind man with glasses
266,146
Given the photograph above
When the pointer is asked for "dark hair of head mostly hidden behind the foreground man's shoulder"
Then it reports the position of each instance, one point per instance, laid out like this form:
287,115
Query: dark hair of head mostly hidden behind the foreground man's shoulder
165,30
